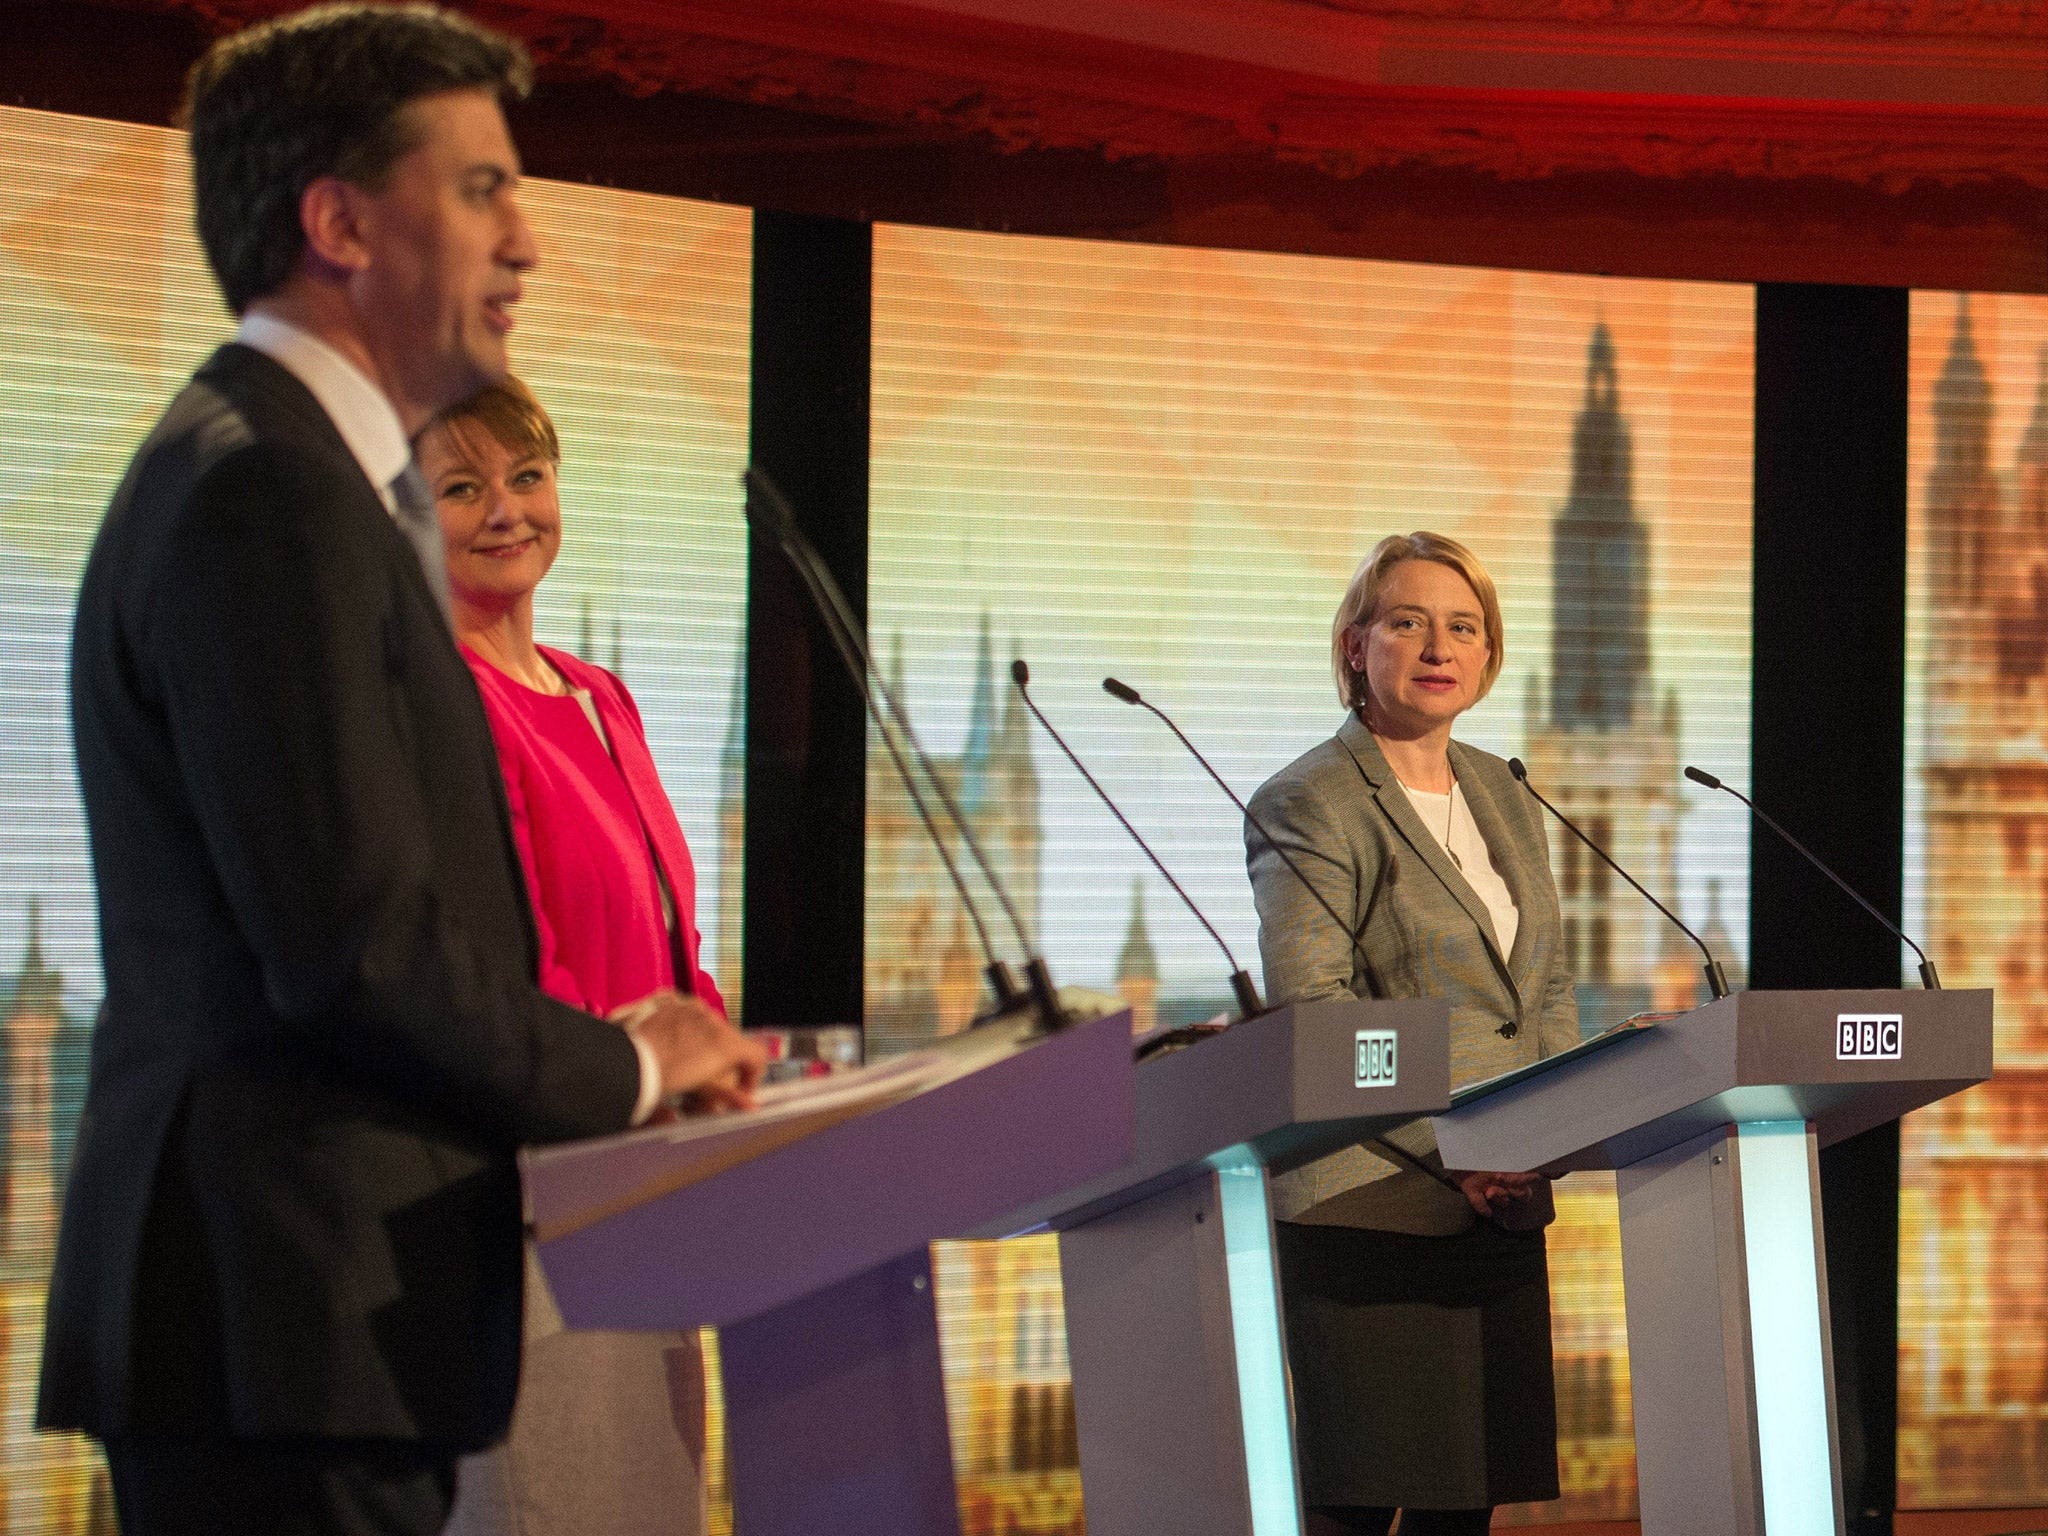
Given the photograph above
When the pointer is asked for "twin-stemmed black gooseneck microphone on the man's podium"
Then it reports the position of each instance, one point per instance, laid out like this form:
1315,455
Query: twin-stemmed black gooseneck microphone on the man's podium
771,513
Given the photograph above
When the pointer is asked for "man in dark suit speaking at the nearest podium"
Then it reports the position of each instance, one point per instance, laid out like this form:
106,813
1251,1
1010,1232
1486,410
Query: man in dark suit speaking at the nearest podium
288,1287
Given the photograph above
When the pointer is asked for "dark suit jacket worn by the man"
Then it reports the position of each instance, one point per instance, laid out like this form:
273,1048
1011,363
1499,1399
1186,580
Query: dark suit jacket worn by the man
294,1207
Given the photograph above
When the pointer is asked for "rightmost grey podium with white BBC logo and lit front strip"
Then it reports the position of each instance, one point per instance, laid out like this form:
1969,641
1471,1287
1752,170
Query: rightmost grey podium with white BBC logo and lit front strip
1711,1125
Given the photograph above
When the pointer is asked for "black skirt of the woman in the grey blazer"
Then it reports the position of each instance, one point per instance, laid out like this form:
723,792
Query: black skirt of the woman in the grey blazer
1420,1367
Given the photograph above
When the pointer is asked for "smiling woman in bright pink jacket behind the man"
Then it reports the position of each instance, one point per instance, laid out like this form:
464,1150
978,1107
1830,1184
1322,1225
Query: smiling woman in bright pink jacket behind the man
609,1431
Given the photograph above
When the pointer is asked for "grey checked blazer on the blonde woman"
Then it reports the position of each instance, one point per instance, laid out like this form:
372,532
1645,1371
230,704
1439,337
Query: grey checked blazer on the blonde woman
1342,816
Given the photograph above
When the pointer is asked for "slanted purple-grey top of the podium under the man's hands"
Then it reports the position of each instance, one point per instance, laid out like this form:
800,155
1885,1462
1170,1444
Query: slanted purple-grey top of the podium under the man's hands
646,1234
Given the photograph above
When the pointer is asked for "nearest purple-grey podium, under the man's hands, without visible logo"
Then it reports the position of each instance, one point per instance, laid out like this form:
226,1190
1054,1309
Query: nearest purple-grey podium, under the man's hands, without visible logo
808,1246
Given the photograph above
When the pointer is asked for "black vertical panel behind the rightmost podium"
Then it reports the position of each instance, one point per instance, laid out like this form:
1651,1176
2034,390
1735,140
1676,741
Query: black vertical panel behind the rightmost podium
1830,763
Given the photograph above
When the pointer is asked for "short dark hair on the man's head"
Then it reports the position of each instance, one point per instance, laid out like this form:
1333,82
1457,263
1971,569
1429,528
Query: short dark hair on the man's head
323,93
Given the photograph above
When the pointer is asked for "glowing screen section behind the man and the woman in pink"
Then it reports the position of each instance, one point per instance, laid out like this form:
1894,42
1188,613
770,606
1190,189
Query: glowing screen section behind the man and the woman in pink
636,335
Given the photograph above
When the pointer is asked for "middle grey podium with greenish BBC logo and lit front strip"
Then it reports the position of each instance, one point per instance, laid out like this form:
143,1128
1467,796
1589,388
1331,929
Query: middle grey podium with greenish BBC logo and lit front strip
1175,1322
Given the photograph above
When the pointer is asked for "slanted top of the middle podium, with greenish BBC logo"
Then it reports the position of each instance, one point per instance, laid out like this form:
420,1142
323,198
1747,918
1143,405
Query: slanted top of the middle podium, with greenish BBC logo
1291,1086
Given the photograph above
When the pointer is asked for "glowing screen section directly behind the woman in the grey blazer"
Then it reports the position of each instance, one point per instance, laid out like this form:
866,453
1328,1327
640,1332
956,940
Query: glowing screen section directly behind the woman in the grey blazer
1164,466
